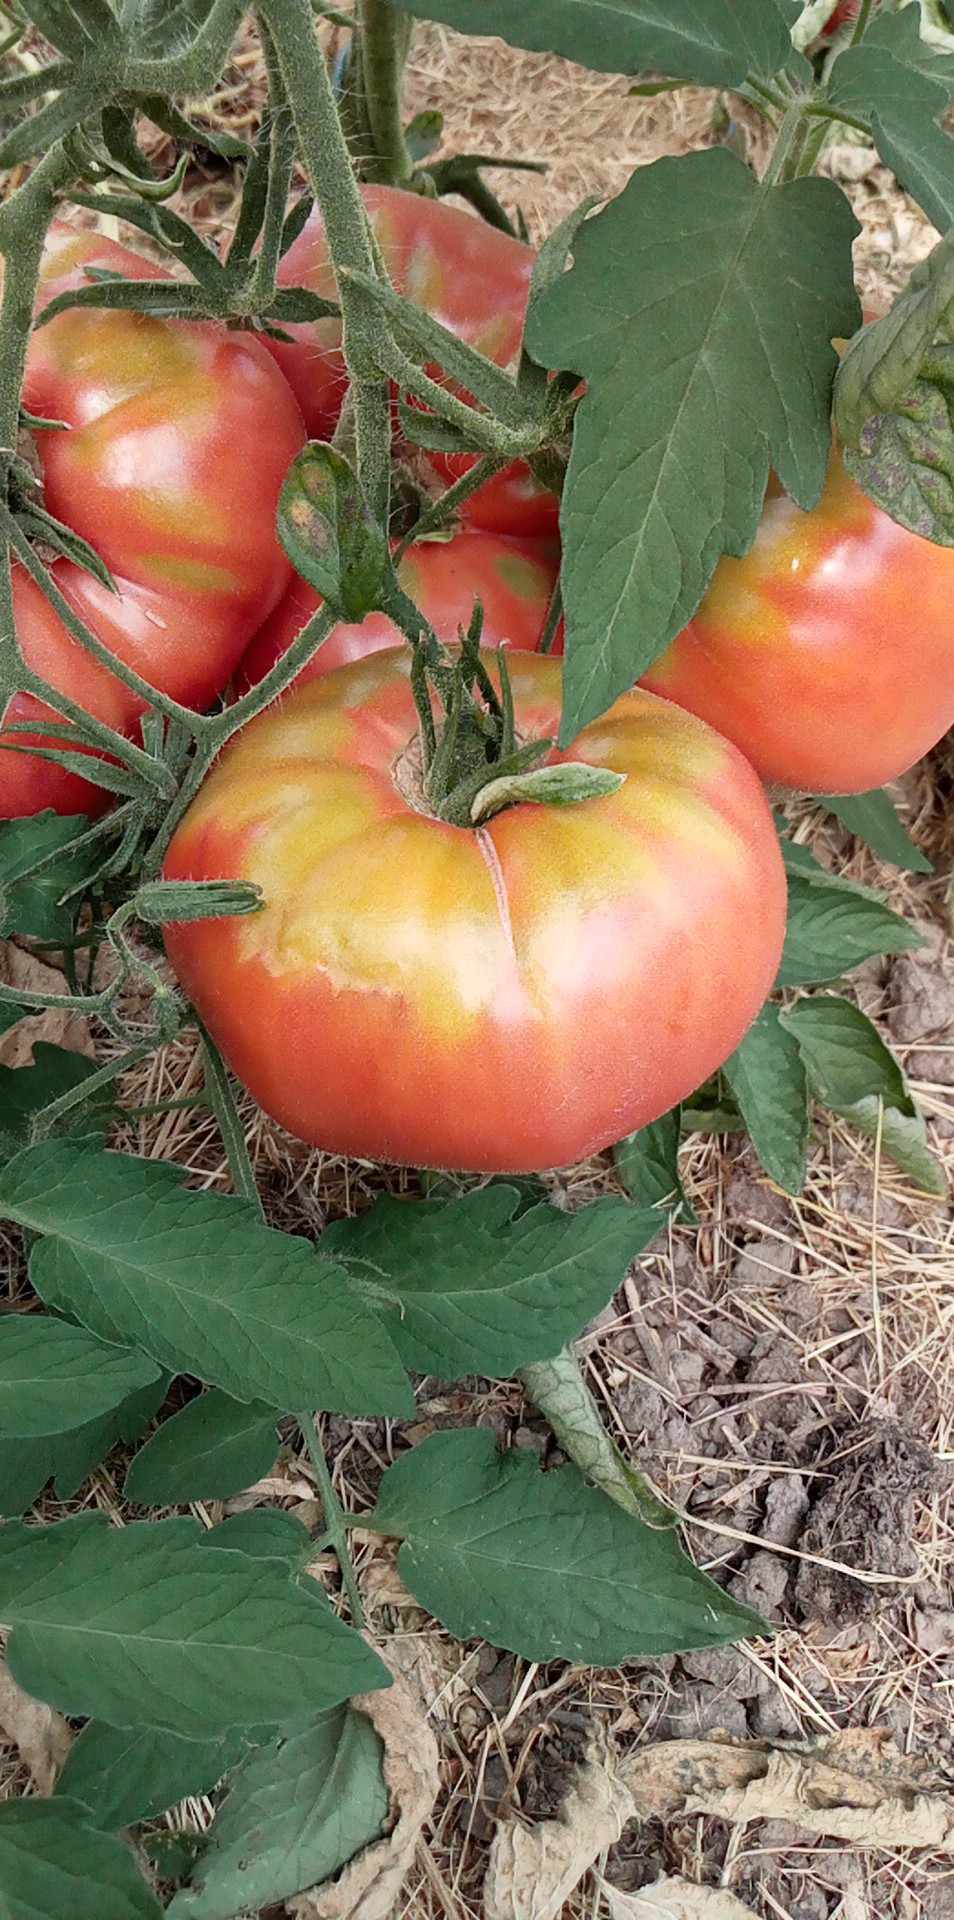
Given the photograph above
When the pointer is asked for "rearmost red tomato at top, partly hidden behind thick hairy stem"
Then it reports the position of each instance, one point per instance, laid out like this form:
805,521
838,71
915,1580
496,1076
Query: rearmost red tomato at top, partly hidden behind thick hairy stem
473,279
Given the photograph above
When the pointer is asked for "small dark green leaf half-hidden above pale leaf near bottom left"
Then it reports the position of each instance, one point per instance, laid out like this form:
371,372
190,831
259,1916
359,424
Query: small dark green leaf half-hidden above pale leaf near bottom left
130,1773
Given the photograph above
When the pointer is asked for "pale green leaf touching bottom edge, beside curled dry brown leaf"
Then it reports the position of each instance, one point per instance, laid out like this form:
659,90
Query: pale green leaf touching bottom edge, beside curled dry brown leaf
295,1813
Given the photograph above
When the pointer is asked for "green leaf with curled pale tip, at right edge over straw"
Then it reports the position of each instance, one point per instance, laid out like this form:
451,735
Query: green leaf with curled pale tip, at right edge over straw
857,1076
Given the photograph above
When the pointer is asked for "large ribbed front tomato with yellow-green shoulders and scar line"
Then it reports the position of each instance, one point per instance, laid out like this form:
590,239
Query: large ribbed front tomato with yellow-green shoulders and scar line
506,999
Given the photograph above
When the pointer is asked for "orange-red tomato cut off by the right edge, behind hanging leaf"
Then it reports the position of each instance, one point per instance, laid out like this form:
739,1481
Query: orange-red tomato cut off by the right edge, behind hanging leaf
828,652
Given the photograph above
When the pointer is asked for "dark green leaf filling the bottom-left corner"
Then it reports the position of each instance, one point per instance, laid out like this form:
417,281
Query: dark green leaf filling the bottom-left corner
55,1863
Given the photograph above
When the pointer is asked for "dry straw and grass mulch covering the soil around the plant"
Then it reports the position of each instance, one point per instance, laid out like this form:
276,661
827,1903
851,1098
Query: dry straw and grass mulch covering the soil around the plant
790,1360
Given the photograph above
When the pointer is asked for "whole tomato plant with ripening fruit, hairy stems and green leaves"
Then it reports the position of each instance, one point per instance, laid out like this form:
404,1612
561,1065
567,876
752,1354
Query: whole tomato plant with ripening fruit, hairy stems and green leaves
446,903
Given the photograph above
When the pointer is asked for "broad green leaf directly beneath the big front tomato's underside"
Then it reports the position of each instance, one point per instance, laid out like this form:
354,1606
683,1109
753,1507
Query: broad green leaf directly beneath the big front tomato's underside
467,1287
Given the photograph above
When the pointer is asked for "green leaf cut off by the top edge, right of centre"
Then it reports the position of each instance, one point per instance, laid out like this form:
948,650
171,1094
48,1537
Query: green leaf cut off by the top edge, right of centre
700,41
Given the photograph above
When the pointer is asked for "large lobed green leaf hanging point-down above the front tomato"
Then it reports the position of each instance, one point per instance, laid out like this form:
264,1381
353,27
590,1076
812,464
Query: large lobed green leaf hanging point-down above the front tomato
669,471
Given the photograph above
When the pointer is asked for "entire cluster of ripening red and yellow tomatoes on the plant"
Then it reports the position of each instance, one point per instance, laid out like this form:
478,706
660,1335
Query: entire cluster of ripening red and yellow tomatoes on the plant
500,997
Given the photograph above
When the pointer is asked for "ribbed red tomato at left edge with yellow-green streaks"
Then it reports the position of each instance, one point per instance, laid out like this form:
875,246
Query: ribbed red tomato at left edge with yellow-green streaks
179,439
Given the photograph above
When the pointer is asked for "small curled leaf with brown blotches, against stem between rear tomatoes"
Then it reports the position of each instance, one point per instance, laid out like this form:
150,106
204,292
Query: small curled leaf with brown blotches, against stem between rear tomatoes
329,533
